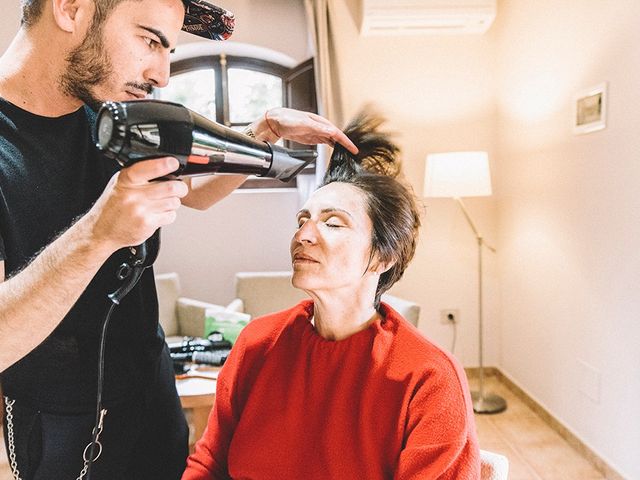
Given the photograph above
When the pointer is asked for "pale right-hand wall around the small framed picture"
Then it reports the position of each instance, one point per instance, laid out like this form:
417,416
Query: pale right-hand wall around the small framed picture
568,217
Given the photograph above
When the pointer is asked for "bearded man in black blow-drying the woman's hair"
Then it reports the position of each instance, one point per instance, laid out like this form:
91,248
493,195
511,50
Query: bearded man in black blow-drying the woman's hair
66,217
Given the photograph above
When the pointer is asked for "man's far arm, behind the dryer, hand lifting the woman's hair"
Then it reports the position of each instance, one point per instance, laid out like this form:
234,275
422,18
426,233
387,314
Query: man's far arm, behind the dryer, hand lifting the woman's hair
302,127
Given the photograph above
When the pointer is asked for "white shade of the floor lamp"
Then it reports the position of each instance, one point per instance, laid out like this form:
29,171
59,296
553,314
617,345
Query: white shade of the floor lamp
457,174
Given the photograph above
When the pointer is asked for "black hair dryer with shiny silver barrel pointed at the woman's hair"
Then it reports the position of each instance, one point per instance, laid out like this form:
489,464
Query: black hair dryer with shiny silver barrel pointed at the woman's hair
139,130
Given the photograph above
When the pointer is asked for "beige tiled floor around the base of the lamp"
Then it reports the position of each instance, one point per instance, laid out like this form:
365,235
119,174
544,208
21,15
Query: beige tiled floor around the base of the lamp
534,450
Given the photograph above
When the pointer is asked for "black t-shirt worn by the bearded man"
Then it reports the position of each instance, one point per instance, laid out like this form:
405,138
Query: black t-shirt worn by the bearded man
50,174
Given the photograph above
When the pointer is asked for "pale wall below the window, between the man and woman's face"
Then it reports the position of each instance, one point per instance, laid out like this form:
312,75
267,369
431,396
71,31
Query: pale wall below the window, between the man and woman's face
247,231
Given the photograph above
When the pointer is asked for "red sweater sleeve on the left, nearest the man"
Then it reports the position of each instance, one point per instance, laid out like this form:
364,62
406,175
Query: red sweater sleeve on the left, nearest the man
209,460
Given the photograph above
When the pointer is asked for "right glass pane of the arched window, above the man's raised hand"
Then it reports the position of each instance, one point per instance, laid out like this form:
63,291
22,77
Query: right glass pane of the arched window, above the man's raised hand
252,93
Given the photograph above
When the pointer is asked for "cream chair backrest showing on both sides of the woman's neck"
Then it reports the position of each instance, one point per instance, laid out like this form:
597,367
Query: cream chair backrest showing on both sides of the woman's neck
267,292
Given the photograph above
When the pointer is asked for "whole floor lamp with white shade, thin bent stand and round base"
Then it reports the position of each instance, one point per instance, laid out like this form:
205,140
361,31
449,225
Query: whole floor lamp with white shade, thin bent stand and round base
456,175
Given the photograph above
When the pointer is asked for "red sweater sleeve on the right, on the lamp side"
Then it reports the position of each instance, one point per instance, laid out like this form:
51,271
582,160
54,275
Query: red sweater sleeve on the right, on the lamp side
440,437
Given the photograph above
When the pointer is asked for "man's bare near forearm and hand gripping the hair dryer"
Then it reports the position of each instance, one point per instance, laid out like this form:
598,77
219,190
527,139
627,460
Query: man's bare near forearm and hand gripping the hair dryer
35,300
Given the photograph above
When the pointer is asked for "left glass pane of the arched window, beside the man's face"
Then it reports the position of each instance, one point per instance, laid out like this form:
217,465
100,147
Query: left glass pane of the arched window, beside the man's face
194,90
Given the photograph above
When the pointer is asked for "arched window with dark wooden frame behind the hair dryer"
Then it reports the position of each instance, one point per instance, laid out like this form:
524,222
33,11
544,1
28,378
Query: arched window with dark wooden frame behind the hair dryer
234,90
